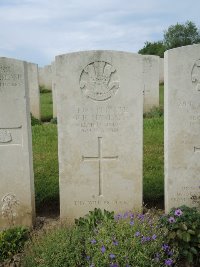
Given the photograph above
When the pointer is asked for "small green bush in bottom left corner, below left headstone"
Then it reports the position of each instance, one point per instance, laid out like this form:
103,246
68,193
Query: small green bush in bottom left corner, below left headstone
12,241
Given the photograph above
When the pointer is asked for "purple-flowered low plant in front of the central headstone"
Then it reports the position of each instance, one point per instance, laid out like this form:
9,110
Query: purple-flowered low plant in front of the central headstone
129,240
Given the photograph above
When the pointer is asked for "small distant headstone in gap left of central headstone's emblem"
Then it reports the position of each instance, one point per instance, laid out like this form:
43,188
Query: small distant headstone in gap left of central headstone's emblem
45,77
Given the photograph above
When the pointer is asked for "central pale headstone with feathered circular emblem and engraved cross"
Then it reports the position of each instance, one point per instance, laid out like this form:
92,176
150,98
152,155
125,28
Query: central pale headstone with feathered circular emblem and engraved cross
99,131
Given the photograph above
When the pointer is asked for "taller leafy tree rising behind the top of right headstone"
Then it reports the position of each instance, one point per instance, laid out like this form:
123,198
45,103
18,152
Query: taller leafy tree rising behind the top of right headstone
181,35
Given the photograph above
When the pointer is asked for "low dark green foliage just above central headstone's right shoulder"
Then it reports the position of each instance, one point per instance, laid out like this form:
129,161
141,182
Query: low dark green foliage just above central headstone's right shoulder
155,48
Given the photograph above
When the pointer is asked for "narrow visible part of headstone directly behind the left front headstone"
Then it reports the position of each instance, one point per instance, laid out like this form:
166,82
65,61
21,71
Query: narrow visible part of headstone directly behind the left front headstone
34,92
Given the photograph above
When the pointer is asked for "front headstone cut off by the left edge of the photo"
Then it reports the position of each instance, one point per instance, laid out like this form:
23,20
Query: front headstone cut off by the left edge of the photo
16,170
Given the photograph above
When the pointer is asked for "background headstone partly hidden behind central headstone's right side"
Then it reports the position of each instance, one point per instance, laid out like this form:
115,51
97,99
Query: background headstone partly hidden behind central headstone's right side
151,82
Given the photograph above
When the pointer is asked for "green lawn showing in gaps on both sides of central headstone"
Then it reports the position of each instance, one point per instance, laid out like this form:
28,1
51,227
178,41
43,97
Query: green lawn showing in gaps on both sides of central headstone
46,158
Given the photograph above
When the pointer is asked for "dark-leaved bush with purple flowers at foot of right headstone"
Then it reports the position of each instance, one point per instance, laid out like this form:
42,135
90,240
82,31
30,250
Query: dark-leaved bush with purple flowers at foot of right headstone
183,226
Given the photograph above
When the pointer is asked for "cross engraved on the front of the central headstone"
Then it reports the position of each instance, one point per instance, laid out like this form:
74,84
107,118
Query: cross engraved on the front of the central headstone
100,159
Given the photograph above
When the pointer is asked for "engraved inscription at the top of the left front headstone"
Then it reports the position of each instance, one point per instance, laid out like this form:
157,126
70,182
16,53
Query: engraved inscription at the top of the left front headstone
9,77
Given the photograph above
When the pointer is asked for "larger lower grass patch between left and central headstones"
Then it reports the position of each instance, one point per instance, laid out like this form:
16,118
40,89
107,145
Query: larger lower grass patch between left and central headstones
45,160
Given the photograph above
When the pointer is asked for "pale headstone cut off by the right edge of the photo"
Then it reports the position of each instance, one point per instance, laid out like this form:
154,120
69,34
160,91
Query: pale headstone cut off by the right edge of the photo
182,127
